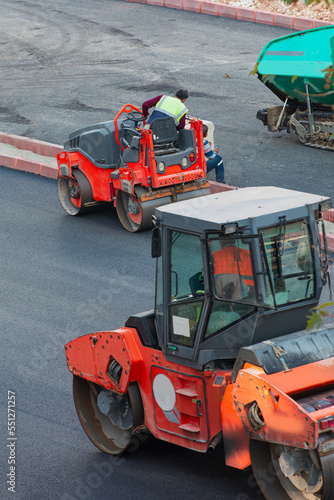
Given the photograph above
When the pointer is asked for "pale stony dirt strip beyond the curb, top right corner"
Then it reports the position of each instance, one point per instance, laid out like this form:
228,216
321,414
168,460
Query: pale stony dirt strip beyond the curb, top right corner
317,10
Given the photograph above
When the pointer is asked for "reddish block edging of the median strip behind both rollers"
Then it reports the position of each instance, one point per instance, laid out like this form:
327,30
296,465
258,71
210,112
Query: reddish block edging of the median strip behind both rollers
51,150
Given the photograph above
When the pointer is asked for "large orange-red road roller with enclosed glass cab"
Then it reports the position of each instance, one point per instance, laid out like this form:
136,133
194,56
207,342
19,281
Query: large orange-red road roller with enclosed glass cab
225,357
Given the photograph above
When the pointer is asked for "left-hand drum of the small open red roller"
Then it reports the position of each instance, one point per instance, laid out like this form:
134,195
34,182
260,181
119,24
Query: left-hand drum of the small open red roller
75,195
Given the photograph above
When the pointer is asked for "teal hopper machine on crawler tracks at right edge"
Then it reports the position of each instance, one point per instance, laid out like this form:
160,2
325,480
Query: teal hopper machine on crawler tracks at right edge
298,69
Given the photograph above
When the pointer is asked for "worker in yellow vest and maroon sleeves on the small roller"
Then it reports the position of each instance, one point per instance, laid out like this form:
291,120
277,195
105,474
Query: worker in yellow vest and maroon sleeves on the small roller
168,106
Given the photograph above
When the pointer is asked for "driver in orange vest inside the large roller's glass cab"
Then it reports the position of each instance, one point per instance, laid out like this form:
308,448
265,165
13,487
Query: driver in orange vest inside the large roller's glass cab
233,271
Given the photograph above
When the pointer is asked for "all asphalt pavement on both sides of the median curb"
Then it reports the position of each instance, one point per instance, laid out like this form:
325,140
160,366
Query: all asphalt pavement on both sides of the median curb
65,65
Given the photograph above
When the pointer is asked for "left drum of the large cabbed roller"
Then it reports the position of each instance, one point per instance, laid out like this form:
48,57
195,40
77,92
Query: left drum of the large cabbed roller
108,418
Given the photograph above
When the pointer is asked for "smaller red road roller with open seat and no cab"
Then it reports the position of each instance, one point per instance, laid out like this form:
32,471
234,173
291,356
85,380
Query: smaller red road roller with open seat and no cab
135,168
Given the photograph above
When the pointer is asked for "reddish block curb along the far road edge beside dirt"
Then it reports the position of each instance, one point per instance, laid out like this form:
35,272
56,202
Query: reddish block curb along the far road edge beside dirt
238,13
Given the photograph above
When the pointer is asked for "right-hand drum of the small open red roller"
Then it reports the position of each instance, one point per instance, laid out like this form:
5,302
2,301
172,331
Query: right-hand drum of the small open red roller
133,215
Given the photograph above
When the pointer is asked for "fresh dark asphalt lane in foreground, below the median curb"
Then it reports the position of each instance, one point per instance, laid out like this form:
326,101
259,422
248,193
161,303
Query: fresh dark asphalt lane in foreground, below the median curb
62,277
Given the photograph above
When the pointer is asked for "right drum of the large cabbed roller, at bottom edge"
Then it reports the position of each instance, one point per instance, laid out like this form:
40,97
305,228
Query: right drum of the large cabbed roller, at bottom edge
286,473
